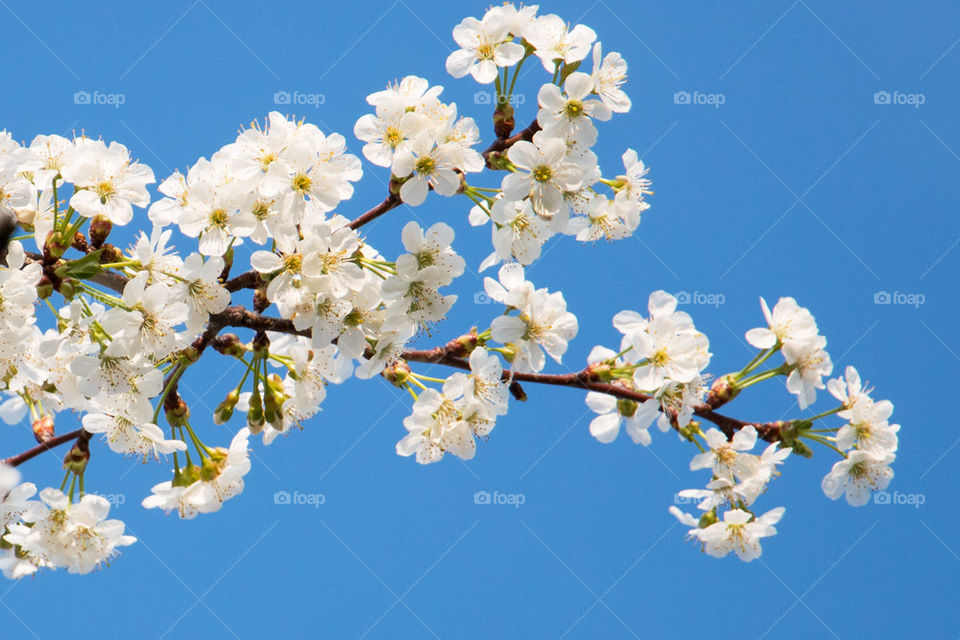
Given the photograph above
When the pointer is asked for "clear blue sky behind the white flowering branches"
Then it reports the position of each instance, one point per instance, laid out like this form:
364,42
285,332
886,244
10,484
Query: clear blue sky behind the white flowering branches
805,181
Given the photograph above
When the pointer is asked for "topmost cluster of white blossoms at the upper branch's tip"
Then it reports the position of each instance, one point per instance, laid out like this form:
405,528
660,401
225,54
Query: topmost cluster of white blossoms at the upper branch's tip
553,176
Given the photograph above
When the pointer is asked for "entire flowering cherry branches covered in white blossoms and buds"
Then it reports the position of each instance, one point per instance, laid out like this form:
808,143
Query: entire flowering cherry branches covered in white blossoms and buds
125,325
